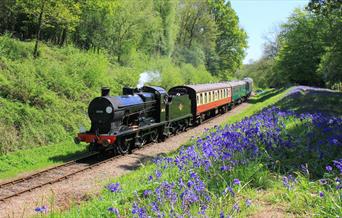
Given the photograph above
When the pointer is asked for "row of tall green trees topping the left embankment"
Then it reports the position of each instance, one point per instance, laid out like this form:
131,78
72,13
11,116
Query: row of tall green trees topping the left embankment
196,32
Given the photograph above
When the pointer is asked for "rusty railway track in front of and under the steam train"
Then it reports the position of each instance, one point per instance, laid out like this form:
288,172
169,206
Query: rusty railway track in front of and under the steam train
58,173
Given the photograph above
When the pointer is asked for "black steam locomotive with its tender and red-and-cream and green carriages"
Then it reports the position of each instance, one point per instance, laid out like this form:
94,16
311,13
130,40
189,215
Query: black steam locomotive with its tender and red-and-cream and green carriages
151,114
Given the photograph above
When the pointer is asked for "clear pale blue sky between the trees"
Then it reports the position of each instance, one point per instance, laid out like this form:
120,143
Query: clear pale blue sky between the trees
260,17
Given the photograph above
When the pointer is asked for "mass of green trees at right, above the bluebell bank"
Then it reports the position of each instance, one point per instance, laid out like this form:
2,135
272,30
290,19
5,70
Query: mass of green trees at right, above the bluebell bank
306,49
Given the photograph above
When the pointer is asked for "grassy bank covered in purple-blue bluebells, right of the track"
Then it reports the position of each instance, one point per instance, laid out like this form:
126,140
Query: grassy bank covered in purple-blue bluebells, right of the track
278,162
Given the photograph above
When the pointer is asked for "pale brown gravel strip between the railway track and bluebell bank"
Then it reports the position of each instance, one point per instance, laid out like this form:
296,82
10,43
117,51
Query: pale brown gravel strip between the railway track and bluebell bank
82,186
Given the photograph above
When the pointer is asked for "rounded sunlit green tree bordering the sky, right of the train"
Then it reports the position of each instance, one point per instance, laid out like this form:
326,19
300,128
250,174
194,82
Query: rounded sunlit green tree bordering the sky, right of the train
301,49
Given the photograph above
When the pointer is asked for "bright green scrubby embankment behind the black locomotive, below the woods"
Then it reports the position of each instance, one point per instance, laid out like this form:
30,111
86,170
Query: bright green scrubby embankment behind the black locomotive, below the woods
44,100
